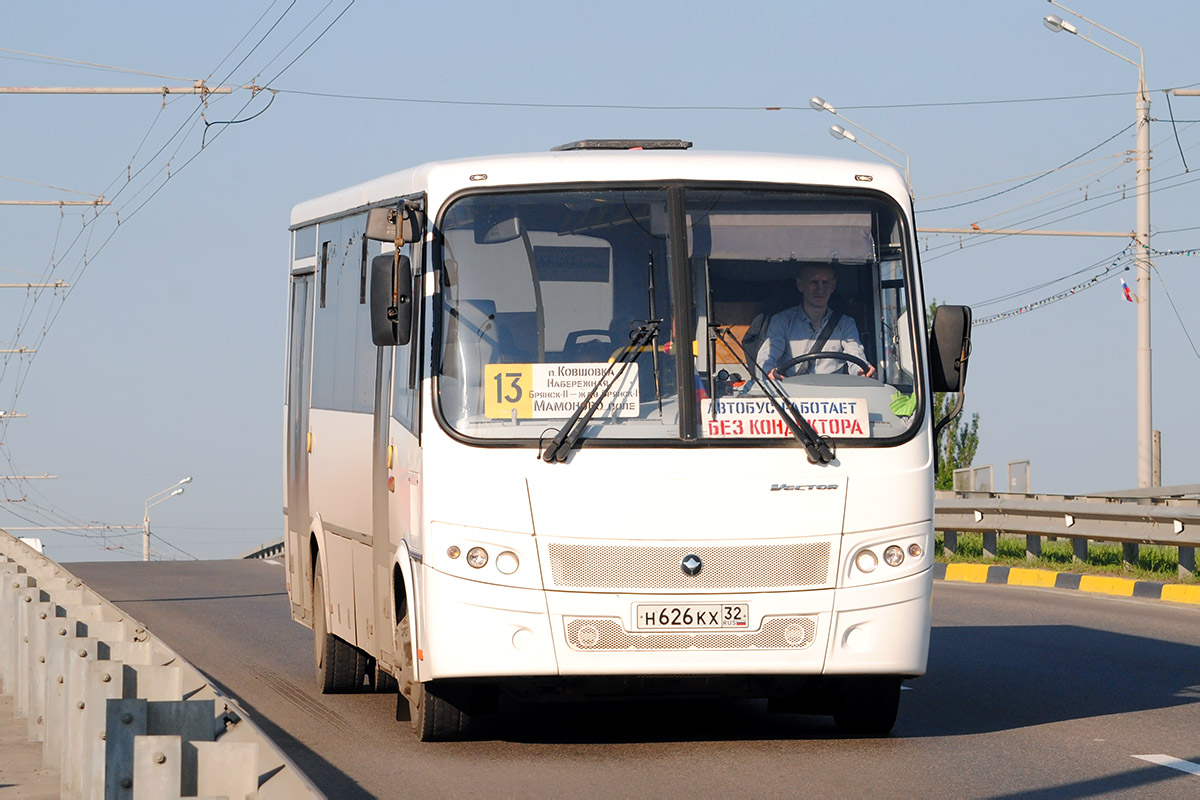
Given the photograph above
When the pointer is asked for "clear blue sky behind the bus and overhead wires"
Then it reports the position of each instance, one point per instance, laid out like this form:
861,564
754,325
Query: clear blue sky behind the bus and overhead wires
166,359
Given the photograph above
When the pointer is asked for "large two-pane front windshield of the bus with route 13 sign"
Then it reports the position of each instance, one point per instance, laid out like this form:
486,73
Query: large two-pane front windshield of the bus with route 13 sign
752,294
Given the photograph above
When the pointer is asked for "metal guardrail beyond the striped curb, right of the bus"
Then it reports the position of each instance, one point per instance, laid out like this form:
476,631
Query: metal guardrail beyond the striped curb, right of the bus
1130,518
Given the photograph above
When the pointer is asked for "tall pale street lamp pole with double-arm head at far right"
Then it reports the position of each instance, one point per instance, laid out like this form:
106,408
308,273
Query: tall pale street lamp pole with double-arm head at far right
1142,236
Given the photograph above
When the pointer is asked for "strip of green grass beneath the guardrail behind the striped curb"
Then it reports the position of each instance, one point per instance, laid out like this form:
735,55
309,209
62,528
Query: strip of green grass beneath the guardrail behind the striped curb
1155,562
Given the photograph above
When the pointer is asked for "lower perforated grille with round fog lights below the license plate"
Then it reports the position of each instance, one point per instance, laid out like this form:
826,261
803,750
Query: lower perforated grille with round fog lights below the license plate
775,634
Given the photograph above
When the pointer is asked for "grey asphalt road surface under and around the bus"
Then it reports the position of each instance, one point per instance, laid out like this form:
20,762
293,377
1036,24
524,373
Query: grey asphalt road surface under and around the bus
1030,694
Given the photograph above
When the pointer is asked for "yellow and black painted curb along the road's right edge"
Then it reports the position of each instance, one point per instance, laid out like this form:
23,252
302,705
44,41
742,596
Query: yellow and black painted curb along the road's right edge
1102,585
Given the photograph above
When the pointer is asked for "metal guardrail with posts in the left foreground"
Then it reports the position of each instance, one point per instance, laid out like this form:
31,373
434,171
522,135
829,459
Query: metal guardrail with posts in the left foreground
119,713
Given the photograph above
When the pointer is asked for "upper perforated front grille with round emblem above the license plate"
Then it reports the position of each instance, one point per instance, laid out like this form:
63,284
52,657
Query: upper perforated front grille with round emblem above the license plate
650,568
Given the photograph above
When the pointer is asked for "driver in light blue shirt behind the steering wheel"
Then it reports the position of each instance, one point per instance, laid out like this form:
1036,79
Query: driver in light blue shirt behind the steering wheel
796,332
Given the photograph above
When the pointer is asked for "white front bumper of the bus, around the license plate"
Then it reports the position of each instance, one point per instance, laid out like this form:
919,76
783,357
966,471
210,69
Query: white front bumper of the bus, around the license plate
478,630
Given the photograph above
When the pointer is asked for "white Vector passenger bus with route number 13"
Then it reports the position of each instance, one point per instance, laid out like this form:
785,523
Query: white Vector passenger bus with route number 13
536,446
